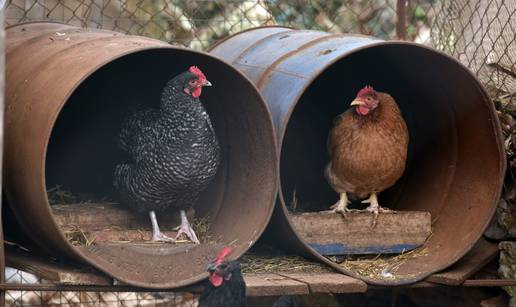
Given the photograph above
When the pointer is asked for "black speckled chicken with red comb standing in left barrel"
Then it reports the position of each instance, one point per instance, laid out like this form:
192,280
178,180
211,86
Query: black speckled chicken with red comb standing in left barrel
174,154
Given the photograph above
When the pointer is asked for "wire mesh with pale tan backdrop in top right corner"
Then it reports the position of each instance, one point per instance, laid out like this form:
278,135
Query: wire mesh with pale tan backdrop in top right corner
481,34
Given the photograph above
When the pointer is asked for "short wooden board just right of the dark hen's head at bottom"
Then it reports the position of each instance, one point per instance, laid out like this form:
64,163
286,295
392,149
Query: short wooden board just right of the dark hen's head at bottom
273,284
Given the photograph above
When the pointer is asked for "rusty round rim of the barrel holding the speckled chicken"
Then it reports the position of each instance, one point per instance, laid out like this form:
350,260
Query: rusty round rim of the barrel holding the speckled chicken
78,254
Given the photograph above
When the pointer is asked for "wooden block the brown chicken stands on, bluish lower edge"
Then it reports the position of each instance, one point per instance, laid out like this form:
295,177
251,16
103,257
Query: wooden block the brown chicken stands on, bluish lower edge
332,234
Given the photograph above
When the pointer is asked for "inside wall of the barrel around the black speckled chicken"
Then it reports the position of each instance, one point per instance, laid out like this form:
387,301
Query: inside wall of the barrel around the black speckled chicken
82,152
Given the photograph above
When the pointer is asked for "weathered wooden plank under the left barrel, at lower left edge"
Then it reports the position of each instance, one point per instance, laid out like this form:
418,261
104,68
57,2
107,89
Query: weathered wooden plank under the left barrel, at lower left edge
56,272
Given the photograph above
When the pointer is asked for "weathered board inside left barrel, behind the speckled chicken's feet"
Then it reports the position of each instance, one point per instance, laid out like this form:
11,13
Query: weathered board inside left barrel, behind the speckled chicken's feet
93,216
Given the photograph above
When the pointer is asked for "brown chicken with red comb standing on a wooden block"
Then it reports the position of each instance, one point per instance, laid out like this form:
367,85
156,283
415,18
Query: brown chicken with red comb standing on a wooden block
368,149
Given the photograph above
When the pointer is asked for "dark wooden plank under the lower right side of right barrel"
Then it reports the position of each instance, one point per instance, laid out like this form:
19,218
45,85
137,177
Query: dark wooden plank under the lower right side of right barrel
480,255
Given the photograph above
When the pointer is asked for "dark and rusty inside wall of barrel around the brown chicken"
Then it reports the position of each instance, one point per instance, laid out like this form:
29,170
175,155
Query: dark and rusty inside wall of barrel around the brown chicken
454,165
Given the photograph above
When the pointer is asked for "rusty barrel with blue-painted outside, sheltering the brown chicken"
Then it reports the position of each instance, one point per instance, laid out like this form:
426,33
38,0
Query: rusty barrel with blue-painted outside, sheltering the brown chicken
456,159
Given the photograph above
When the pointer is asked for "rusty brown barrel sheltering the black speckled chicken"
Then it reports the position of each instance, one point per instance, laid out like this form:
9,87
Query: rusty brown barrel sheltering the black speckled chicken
68,90
